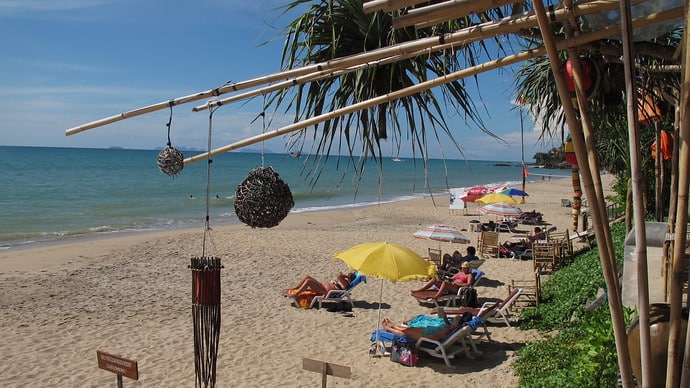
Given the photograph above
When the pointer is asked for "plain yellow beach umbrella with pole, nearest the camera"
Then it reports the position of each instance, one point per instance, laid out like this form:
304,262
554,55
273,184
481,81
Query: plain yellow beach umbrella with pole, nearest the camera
386,261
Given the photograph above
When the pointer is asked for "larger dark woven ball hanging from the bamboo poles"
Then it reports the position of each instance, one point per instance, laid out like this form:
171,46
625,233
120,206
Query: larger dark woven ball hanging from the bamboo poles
263,199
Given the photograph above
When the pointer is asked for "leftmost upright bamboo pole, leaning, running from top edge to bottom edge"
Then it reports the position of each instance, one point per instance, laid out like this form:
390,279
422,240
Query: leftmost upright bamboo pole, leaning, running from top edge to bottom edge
615,304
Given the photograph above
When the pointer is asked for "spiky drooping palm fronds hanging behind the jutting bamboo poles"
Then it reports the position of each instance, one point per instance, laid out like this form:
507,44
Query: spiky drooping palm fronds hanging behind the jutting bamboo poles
339,28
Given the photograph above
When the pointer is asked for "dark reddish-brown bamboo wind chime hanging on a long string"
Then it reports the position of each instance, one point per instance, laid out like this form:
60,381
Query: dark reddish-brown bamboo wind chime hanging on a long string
206,300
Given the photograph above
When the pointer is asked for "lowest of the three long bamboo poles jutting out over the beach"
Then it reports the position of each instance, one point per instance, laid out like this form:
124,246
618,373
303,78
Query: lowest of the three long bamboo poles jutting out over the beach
490,65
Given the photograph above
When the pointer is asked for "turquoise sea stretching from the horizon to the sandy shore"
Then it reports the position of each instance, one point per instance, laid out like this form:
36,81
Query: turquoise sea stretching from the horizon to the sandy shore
49,194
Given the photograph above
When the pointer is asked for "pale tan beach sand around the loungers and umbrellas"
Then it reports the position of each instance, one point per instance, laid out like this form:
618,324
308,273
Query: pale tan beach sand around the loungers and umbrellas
131,295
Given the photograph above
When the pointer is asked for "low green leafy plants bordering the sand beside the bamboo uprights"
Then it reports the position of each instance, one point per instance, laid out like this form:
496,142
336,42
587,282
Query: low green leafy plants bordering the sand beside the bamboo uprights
580,349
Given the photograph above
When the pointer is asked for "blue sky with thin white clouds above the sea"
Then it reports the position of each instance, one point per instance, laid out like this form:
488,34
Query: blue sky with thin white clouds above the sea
70,62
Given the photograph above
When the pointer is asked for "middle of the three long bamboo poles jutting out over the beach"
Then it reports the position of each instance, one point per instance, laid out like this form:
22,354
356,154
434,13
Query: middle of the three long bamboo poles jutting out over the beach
465,36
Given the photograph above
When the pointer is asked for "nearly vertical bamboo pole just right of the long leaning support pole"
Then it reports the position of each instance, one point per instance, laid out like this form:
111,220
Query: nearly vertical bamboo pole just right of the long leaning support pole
638,197
